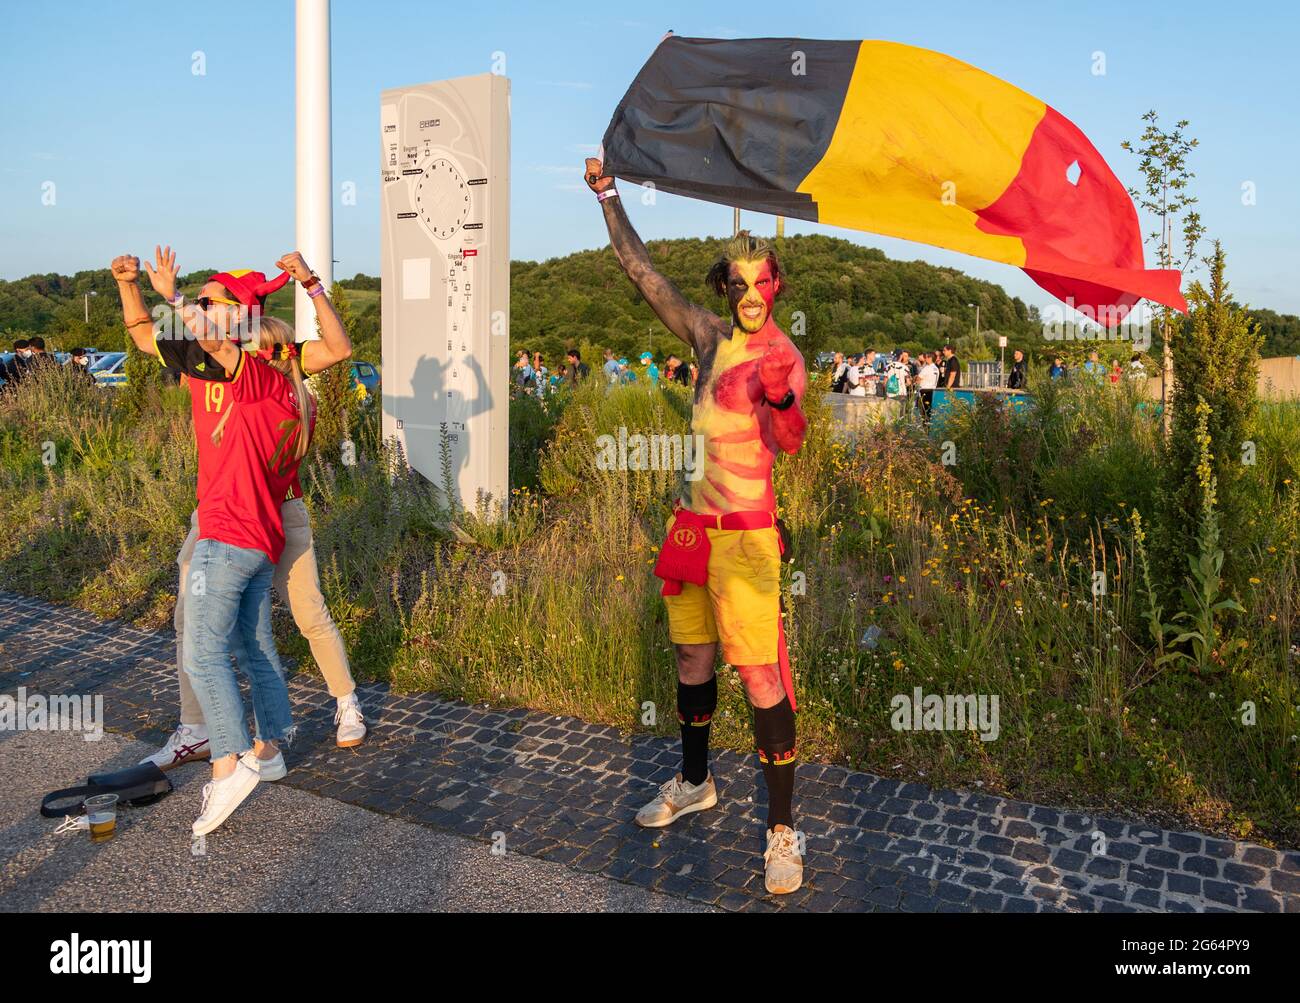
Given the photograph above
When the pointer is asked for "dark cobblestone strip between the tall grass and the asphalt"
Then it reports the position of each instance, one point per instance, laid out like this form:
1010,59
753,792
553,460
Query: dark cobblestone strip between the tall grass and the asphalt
565,791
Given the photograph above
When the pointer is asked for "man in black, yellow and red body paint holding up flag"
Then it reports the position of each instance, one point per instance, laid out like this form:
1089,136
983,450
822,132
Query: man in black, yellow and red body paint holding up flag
721,562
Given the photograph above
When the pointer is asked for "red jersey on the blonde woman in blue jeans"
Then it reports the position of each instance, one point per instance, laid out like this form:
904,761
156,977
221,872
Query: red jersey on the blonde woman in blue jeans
253,470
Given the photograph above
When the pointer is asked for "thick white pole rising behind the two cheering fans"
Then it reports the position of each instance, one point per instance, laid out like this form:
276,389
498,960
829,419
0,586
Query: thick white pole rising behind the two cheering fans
315,172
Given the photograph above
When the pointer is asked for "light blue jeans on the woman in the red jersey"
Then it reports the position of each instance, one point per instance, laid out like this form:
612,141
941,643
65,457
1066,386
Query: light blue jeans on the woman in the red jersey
228,597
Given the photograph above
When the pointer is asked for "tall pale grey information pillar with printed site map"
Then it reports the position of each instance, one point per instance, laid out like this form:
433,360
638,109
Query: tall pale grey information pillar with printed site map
445,258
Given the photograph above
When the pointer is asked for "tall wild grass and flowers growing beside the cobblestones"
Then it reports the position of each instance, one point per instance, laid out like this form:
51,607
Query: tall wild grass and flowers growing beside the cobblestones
1026,584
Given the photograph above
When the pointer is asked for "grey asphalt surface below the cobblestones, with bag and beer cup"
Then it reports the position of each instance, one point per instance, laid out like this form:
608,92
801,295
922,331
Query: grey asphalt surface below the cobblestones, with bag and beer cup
283,852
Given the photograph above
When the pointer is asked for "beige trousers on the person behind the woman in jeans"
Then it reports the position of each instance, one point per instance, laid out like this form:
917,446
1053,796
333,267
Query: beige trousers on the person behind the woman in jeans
300,585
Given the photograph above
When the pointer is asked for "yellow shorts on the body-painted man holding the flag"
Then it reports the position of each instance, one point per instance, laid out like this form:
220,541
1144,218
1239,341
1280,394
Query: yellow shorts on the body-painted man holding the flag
742,602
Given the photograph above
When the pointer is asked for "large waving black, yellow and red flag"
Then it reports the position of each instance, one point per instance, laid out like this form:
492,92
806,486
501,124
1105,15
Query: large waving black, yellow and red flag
892,140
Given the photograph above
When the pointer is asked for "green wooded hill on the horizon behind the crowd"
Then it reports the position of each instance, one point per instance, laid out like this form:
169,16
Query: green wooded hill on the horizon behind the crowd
851,298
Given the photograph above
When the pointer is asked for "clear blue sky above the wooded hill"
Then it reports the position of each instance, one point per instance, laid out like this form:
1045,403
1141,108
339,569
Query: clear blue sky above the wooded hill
99,98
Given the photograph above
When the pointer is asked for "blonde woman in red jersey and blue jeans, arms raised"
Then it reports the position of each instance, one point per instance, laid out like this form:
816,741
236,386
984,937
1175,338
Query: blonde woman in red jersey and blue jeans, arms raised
257,448
